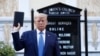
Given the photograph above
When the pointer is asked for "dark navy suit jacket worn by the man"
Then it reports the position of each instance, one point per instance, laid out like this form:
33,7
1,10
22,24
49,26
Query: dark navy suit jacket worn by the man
28,41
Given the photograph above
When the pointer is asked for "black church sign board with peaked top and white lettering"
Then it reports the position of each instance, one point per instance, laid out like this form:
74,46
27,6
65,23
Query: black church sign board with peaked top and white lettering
64,20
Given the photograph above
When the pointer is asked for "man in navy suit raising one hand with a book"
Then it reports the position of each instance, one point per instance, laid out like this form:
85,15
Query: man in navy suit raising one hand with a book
30,40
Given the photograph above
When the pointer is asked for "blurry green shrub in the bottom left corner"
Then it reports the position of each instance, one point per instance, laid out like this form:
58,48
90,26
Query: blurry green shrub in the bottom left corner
6,50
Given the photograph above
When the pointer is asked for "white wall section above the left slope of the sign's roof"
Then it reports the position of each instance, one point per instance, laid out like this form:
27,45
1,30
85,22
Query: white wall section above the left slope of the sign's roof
36,4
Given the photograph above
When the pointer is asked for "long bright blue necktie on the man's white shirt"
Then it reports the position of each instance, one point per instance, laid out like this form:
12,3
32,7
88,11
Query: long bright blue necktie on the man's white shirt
41,44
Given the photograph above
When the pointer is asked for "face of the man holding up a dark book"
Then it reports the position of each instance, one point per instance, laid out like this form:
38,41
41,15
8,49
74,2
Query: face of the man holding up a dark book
41,22
